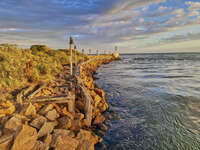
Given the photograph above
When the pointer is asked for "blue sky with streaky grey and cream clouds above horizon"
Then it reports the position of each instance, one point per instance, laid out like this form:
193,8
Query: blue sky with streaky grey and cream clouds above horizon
134,26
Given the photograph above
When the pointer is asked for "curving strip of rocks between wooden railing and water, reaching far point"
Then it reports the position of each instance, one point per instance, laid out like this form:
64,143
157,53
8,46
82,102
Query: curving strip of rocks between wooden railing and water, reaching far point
99,101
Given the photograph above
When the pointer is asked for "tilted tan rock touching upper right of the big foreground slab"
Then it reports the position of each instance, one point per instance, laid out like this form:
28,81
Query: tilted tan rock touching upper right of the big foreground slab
46,128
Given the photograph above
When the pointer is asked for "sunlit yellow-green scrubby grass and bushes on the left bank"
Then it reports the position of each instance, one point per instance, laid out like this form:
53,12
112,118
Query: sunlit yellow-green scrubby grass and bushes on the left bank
20,67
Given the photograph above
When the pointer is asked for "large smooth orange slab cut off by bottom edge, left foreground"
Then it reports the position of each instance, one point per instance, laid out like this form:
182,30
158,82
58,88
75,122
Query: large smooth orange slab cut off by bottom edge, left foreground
25,138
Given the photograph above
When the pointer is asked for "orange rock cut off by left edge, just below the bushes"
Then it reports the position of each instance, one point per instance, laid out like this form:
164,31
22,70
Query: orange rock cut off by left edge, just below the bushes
6,108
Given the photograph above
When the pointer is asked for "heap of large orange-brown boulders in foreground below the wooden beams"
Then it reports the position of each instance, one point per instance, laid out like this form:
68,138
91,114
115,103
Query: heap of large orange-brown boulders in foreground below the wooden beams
48,127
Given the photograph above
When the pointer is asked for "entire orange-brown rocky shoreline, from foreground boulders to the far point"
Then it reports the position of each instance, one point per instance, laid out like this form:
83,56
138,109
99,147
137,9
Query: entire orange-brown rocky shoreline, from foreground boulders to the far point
36,125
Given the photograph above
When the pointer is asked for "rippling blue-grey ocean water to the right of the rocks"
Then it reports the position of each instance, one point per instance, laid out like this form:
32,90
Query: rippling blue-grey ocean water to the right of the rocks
158,99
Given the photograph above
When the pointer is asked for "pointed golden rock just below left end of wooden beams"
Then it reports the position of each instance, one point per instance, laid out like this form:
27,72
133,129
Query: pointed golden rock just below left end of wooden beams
28,110
